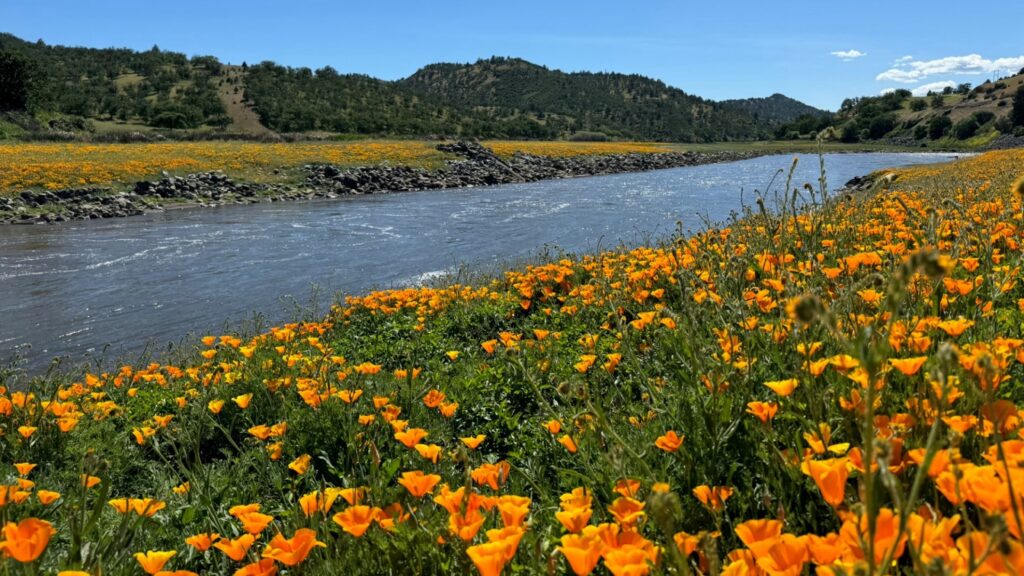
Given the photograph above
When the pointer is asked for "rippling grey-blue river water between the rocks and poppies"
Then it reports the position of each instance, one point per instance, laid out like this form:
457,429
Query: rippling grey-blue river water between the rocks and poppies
105,290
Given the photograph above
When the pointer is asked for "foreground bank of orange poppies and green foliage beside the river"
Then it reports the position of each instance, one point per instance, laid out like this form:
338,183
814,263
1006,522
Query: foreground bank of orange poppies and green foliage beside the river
830,390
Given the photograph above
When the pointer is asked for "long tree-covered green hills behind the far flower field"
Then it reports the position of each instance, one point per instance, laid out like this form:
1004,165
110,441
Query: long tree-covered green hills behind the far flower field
76,90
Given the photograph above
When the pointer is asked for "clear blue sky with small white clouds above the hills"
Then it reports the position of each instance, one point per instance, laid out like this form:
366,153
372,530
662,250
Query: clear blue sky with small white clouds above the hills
819,52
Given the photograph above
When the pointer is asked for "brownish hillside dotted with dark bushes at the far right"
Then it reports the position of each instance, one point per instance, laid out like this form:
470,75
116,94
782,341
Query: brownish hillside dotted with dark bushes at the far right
957,116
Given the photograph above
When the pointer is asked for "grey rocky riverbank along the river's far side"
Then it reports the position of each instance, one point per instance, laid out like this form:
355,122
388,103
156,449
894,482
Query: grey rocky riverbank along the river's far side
477,167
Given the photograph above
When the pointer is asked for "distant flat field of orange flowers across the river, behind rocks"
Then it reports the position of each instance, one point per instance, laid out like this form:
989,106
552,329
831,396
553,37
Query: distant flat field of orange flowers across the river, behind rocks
55,167
